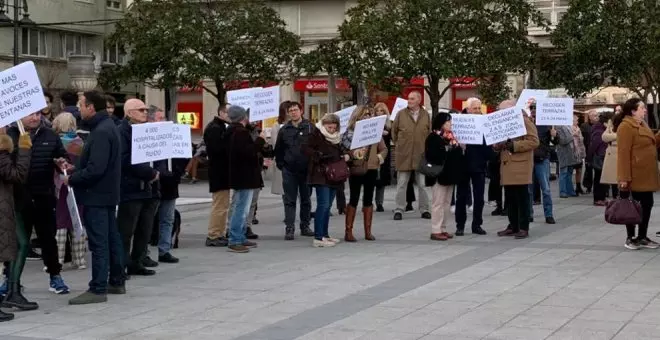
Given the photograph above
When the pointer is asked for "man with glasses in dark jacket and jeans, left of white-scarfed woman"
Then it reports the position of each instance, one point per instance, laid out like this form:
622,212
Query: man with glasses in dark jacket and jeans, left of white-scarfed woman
289,158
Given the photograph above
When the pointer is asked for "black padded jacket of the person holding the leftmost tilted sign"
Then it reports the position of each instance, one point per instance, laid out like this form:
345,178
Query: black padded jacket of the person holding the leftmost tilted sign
46,146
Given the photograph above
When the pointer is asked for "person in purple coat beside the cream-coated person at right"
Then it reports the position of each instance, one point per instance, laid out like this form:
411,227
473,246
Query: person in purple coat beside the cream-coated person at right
596,157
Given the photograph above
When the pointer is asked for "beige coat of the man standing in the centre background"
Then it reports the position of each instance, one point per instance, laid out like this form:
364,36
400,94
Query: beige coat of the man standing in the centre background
409,138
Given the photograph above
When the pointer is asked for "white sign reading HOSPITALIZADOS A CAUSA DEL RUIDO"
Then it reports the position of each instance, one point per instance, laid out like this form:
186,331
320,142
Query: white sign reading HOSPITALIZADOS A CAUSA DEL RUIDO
151,142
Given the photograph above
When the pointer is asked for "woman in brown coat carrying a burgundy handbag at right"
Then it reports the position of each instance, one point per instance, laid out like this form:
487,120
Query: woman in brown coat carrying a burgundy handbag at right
637,167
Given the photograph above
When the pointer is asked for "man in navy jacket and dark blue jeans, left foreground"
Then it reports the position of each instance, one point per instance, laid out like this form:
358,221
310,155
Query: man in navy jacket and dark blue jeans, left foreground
96,181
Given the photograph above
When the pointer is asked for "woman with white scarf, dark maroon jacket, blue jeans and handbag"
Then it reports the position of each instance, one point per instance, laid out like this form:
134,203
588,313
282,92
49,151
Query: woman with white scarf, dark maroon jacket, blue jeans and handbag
324,147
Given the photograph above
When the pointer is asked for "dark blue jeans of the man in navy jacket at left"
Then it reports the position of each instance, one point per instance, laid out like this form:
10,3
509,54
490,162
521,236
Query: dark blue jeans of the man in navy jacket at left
106,247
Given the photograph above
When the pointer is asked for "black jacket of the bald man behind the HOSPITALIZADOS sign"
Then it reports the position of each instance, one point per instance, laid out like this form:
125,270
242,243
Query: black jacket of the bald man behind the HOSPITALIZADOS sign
135,179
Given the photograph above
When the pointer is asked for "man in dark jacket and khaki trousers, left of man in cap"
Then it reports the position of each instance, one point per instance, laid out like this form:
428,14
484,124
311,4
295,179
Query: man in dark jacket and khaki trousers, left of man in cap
218,178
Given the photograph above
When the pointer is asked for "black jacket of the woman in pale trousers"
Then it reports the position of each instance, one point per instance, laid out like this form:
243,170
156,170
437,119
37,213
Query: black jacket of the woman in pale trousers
439,152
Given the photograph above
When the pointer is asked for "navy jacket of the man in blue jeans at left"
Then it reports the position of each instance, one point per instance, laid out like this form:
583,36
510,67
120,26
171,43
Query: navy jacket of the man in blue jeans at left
97,176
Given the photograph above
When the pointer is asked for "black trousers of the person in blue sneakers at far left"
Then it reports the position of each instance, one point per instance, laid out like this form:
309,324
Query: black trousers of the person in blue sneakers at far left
39,212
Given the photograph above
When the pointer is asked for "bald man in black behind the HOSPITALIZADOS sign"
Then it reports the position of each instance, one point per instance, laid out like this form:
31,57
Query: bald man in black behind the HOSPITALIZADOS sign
137,209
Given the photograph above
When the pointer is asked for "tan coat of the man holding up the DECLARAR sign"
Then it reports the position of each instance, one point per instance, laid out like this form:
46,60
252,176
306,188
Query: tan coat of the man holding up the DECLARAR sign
516,167
